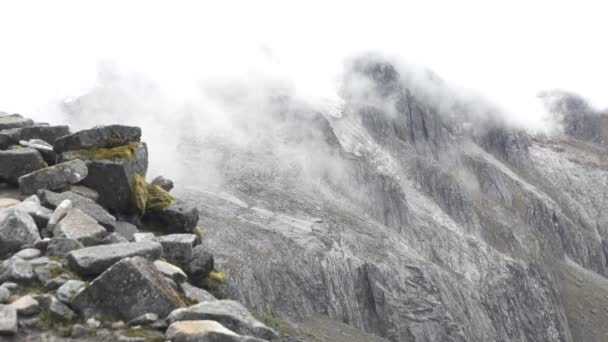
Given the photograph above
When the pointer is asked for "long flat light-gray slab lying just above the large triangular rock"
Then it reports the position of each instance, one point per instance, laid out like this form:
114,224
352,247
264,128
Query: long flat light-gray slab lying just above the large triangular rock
95,260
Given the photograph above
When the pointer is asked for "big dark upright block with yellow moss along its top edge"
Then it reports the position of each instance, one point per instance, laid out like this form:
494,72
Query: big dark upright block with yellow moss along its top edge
125,168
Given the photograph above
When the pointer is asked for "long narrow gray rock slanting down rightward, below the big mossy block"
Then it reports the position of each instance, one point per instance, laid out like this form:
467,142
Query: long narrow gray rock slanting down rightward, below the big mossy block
52,200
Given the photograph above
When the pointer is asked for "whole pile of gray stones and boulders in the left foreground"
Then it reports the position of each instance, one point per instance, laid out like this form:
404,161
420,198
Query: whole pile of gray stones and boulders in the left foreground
78,257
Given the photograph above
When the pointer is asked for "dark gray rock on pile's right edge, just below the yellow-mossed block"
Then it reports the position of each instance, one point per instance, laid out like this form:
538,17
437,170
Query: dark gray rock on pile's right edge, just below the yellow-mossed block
178,217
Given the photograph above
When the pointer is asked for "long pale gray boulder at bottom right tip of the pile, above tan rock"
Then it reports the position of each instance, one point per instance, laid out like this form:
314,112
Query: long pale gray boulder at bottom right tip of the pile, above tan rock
229,313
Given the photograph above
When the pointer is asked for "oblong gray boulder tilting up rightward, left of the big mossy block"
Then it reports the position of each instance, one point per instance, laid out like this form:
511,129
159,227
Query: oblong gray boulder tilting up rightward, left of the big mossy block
54,177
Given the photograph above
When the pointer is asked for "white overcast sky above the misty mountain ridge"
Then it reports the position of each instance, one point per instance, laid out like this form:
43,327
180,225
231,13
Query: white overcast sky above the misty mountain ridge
506,50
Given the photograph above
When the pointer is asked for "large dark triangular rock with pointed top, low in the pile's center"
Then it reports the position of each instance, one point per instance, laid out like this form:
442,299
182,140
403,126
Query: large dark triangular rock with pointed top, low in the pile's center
130,288
